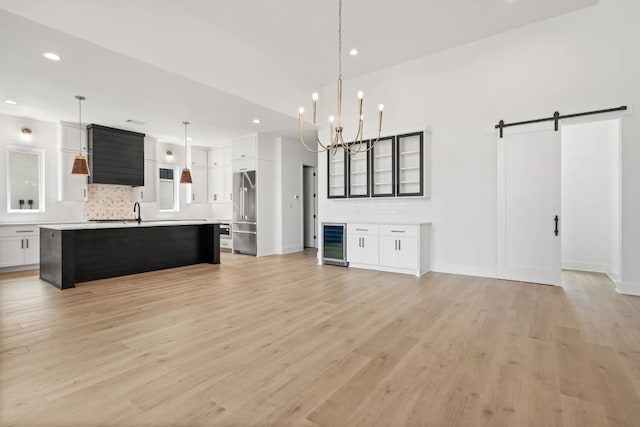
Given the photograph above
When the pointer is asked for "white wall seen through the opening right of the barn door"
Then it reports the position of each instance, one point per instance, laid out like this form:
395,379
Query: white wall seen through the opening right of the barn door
590,197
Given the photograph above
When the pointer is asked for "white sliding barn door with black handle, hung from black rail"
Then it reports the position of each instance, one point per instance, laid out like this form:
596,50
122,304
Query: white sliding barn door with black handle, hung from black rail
529,204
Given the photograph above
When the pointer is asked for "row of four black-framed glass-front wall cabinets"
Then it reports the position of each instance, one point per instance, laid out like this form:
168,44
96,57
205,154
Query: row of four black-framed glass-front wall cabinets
394,167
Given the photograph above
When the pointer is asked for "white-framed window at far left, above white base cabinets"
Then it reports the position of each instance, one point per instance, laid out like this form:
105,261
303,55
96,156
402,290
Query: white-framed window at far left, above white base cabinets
25,180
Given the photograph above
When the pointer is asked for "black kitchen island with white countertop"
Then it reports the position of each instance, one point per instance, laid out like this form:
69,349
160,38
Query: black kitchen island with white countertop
73,253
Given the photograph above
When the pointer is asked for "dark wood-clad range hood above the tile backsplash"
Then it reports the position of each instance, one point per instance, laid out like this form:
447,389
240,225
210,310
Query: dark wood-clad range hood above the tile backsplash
116,156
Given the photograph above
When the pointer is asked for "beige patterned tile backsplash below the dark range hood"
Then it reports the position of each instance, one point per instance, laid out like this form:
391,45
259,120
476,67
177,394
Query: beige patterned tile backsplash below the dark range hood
106,201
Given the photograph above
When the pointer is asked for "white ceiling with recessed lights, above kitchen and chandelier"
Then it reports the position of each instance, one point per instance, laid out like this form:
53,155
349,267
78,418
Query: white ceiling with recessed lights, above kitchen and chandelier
220,63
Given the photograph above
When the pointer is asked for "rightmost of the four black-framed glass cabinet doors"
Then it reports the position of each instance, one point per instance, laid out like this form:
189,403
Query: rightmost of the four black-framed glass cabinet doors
410,164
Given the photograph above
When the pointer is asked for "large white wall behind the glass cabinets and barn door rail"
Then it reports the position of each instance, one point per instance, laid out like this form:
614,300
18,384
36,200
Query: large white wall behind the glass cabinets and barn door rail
576,62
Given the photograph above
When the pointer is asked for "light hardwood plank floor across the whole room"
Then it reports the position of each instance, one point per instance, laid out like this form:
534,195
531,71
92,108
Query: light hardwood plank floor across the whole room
283,341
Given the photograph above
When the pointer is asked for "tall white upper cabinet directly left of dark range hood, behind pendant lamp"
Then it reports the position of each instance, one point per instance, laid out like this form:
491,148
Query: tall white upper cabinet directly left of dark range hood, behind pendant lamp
72,141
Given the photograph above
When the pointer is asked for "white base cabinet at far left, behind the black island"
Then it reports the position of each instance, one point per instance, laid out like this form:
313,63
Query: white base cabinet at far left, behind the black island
19,245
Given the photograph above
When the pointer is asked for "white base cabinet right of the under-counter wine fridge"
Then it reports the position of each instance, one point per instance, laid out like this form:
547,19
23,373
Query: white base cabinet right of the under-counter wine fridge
397,248
